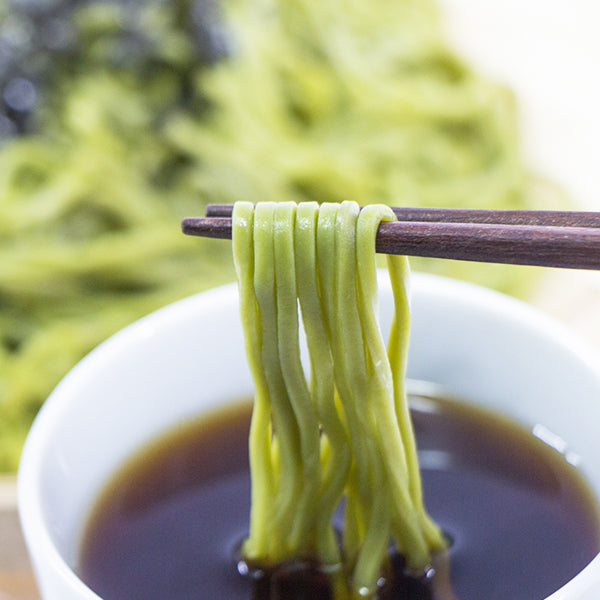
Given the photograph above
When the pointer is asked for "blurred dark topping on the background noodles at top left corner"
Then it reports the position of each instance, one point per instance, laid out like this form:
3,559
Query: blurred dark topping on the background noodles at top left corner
42,41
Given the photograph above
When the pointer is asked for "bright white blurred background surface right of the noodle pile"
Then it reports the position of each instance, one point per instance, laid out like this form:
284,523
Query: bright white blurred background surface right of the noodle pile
548,53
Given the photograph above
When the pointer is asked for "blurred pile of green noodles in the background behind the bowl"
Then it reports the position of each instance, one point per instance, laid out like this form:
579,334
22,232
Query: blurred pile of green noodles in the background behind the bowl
287,100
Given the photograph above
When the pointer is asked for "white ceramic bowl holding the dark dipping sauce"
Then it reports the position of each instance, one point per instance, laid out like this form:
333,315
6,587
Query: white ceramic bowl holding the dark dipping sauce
189,356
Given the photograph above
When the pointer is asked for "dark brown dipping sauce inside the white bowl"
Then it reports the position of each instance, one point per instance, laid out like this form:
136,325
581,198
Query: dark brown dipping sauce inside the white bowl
521,519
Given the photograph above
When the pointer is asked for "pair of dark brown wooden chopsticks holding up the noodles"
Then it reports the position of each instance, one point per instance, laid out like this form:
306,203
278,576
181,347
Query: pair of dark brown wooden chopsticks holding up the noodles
567,239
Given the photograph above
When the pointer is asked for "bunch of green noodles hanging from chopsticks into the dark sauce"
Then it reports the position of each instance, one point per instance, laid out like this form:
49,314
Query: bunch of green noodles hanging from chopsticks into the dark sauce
347,433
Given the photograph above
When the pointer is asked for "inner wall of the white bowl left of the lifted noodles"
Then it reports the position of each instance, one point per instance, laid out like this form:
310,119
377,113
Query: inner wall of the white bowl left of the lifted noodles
164,369
